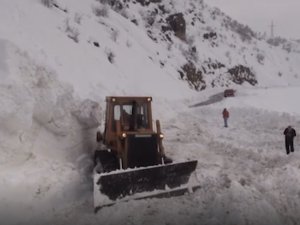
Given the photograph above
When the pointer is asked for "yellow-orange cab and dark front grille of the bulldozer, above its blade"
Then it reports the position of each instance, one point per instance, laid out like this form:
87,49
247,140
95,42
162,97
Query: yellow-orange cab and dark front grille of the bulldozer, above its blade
129,131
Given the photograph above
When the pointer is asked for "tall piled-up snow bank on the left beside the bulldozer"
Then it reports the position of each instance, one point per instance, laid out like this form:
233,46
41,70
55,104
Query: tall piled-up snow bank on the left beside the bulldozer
47,136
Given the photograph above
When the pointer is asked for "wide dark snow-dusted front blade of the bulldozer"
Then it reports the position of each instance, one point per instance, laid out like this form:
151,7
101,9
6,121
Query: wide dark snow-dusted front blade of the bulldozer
145,182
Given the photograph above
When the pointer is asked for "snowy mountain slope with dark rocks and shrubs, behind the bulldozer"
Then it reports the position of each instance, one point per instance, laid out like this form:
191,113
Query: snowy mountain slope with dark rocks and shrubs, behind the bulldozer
103,46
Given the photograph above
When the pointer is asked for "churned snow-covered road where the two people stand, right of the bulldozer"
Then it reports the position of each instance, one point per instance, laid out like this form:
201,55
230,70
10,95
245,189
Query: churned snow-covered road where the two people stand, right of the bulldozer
245,175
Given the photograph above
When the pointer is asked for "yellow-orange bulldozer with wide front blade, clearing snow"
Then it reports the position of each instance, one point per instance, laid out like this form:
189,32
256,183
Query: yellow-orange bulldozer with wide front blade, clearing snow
130,162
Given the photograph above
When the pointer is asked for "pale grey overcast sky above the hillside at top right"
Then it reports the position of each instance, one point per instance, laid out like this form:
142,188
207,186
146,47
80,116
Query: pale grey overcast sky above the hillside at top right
259,14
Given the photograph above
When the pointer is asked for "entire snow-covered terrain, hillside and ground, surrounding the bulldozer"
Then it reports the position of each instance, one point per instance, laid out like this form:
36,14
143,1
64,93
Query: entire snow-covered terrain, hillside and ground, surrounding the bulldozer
58,63
